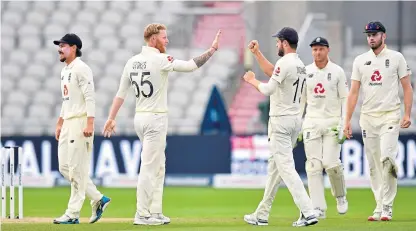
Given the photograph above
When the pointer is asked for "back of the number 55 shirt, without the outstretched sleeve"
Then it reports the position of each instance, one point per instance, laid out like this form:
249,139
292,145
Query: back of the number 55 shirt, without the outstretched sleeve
149,81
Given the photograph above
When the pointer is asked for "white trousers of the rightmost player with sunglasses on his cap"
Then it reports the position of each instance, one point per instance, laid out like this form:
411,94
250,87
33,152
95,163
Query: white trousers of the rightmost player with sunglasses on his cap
381,138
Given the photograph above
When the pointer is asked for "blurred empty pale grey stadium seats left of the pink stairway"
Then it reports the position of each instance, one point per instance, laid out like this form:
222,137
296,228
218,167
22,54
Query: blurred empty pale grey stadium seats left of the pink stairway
111,33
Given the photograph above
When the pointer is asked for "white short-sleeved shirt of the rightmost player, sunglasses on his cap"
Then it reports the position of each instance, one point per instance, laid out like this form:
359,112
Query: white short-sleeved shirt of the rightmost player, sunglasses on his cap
379,76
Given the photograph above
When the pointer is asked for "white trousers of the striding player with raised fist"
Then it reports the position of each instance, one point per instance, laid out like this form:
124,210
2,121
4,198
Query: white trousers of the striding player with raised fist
283,133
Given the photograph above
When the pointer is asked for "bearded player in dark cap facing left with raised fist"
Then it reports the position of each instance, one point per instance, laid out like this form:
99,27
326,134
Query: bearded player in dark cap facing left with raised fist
284,89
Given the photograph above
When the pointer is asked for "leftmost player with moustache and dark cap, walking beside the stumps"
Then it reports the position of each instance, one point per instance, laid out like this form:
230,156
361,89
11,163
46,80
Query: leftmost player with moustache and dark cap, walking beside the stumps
75,131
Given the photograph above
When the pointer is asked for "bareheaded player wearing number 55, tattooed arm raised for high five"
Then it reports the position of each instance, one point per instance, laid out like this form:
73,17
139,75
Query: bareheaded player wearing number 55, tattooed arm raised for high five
147,73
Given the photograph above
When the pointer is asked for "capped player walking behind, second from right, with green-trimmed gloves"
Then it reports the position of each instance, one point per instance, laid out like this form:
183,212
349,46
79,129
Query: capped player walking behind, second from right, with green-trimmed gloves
325,96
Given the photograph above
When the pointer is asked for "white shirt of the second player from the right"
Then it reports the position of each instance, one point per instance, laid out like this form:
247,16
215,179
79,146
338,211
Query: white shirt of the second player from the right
324,90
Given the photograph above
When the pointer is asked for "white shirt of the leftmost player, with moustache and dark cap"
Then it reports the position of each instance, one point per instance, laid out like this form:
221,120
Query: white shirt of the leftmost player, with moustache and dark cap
78,92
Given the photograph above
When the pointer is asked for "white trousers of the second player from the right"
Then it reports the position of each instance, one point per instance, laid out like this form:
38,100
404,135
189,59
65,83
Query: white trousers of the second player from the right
322,152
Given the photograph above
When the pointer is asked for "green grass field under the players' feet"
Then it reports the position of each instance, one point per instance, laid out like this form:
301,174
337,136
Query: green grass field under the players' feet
209,209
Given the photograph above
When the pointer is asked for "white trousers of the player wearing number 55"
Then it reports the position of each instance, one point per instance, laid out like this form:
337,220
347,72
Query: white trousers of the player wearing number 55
151,128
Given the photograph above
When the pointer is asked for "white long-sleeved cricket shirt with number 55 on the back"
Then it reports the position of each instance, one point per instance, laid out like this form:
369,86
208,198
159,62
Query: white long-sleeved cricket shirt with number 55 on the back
147,73
